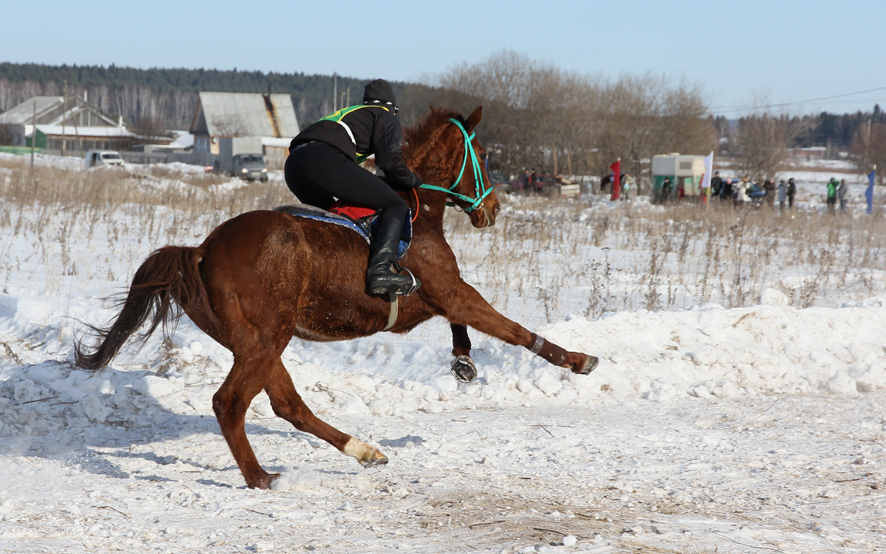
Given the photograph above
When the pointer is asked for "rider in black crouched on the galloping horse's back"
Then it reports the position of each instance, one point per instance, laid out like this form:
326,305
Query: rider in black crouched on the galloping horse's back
322,166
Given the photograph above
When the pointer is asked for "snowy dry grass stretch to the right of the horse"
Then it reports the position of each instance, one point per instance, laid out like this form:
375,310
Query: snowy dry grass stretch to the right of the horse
678,256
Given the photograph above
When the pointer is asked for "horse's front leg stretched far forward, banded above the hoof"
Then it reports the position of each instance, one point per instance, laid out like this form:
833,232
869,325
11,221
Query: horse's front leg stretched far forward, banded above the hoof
467,307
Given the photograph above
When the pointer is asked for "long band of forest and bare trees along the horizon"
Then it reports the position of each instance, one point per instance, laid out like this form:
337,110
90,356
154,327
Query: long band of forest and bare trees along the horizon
535,114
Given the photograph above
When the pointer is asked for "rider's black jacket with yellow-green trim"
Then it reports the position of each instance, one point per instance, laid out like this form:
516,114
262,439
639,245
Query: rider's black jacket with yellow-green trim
375,130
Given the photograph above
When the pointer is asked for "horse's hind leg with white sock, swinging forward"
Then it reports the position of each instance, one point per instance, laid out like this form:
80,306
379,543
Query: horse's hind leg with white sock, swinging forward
287,404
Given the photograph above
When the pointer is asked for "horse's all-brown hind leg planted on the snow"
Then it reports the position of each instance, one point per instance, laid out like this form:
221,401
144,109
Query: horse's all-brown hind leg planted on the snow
230,404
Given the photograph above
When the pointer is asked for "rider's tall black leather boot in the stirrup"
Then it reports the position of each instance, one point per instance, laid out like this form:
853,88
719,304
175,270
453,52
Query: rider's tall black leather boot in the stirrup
380,278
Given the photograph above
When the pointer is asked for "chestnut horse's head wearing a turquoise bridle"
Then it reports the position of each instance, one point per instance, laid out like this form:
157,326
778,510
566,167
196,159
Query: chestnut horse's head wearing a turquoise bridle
449,156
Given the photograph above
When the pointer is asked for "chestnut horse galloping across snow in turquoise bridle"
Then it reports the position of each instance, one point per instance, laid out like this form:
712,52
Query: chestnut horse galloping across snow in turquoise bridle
264,276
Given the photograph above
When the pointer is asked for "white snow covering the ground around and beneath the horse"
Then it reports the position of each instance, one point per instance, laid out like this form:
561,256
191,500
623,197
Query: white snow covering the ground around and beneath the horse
754,428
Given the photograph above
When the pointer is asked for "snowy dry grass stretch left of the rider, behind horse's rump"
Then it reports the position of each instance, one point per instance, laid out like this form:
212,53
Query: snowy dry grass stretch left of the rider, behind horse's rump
52,220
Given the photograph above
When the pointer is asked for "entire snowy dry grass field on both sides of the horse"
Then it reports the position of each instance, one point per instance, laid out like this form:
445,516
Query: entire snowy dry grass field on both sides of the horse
553,257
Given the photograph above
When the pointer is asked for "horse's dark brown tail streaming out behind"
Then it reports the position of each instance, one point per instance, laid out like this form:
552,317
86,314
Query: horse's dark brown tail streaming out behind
167,283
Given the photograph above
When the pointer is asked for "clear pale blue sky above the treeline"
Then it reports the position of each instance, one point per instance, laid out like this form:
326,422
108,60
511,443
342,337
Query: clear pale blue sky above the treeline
785,51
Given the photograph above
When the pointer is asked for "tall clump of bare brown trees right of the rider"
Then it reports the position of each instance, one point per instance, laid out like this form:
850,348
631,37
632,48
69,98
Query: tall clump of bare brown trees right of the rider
541,116
